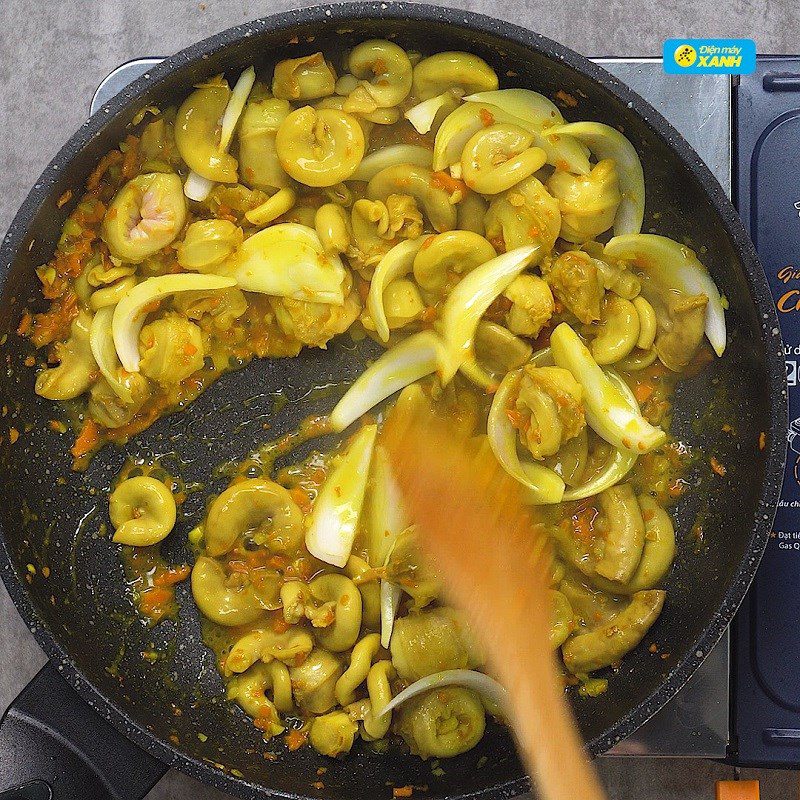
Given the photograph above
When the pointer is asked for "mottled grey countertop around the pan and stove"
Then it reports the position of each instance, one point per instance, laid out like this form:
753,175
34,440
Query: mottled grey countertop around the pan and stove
53,56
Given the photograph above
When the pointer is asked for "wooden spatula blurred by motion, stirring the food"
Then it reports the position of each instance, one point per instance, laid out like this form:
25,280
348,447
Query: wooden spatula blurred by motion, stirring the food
495,562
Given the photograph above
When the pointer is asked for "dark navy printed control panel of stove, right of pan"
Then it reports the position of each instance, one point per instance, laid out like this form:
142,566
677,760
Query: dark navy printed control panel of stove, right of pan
766,632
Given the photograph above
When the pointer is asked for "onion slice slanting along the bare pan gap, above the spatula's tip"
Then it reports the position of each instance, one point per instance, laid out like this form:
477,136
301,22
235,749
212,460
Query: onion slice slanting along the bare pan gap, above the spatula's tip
402,365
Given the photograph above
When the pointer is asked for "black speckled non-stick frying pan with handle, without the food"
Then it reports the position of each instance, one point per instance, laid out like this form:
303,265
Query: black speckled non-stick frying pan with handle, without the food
172,712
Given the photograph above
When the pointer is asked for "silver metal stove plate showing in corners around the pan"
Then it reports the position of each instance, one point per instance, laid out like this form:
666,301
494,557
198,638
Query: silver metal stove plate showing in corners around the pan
695,723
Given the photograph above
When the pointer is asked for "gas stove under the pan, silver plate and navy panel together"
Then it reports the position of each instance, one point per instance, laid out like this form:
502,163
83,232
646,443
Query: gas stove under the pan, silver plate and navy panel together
743,704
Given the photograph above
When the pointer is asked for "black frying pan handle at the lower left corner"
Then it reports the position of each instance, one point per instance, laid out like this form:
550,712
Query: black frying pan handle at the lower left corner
54,746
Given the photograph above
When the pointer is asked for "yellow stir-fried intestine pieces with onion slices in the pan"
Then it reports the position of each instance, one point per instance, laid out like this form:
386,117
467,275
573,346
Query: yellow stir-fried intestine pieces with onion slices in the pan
495,250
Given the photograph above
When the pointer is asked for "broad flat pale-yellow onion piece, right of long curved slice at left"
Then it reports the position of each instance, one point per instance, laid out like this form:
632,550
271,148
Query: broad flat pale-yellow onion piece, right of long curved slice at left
288,260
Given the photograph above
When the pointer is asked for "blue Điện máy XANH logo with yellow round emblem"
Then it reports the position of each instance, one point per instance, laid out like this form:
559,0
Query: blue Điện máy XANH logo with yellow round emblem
709,56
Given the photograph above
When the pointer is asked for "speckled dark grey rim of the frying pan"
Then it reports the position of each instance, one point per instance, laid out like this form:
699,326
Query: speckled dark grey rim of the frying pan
759,292
